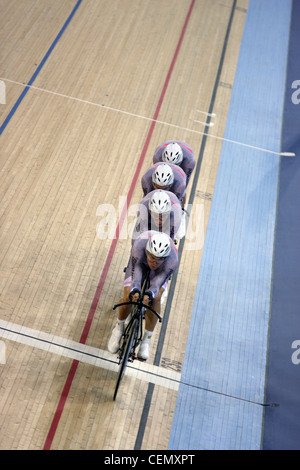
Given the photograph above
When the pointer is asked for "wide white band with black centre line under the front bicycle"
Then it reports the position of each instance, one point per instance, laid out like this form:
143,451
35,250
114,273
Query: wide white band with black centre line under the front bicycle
87,354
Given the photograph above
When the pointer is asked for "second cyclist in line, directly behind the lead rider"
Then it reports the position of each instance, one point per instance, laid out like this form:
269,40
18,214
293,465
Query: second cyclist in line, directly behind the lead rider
159,210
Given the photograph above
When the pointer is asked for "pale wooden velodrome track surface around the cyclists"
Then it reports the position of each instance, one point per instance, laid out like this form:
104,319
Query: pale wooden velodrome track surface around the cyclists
108,82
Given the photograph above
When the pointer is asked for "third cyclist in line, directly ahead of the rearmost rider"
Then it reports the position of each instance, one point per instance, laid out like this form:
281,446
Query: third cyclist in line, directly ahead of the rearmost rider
168,177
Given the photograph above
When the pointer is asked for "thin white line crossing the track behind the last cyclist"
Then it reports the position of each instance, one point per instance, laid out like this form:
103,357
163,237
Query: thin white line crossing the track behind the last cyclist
285,154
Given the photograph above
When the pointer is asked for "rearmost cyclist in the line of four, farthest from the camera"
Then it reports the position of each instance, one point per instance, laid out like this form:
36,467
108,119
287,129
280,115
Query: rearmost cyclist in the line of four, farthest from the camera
176,152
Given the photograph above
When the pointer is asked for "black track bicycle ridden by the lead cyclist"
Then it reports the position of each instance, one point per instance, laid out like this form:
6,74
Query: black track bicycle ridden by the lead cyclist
133,332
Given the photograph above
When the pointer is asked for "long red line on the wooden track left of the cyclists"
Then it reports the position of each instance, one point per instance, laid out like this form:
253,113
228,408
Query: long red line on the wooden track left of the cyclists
85,332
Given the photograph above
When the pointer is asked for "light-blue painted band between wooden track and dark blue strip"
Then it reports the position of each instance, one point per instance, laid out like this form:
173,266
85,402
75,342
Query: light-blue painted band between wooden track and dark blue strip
219,404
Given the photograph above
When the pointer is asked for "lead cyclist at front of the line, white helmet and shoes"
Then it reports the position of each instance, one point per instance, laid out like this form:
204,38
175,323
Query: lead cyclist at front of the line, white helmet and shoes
152,250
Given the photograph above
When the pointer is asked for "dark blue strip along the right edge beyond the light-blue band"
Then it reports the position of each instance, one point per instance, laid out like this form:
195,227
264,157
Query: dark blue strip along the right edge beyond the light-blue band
282,425
